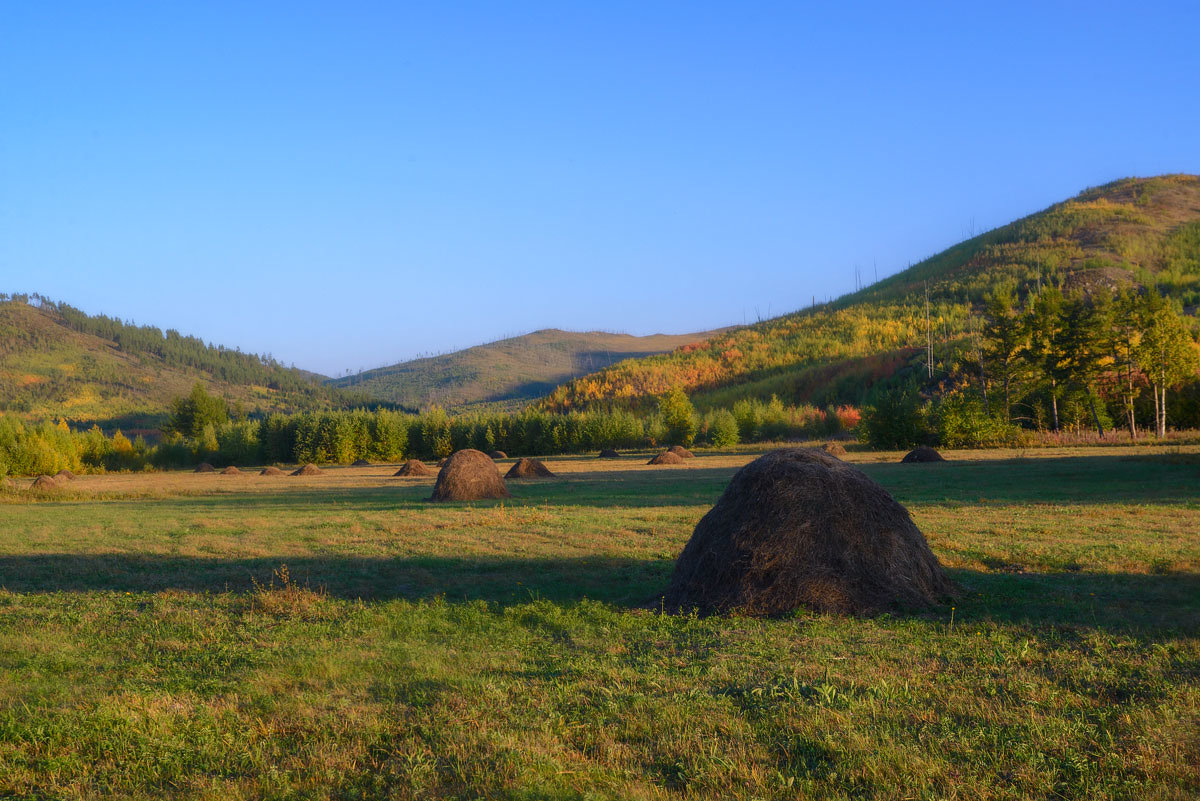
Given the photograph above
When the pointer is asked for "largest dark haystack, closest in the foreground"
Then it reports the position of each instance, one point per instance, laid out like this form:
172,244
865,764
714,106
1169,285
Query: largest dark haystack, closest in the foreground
797,528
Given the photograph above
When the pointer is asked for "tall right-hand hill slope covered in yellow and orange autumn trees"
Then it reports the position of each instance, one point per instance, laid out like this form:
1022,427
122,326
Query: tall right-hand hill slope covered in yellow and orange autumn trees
1135,231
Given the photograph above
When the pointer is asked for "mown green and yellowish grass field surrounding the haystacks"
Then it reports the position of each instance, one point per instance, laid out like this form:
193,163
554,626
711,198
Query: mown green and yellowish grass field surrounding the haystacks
339,637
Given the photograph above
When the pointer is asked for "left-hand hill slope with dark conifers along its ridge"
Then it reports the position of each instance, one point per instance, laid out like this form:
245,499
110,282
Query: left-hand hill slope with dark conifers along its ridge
56,362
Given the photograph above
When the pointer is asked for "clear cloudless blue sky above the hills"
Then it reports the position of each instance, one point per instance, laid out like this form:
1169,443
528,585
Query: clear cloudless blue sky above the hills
347,185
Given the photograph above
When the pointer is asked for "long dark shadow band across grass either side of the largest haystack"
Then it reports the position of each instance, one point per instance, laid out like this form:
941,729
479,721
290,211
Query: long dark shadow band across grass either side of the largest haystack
1105,601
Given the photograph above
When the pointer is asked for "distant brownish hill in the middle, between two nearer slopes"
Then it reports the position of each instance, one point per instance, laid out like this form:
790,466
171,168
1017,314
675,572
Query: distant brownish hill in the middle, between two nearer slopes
508,372
